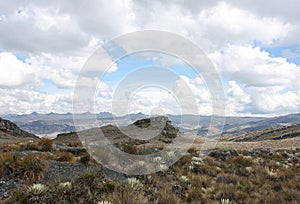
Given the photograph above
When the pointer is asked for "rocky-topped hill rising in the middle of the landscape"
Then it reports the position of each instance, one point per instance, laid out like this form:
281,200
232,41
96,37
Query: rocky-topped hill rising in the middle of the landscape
164,132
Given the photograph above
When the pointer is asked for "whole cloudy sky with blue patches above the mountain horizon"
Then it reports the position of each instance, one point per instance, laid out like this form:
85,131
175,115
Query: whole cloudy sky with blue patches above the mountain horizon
254,46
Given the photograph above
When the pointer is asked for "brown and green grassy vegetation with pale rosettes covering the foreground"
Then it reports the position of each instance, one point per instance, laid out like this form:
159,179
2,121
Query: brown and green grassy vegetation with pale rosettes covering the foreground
225,176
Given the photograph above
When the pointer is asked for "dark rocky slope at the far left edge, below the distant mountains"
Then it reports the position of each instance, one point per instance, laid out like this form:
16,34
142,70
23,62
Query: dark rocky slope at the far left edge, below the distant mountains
9,128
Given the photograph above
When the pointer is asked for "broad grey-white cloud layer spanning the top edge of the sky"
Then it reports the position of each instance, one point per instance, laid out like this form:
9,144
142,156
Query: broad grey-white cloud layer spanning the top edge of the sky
66,27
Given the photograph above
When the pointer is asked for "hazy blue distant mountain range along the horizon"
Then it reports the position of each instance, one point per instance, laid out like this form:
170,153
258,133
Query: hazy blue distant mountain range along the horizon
52,124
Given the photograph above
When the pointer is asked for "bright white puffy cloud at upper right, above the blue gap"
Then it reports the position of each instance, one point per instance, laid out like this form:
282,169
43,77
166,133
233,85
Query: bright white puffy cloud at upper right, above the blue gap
232,24
